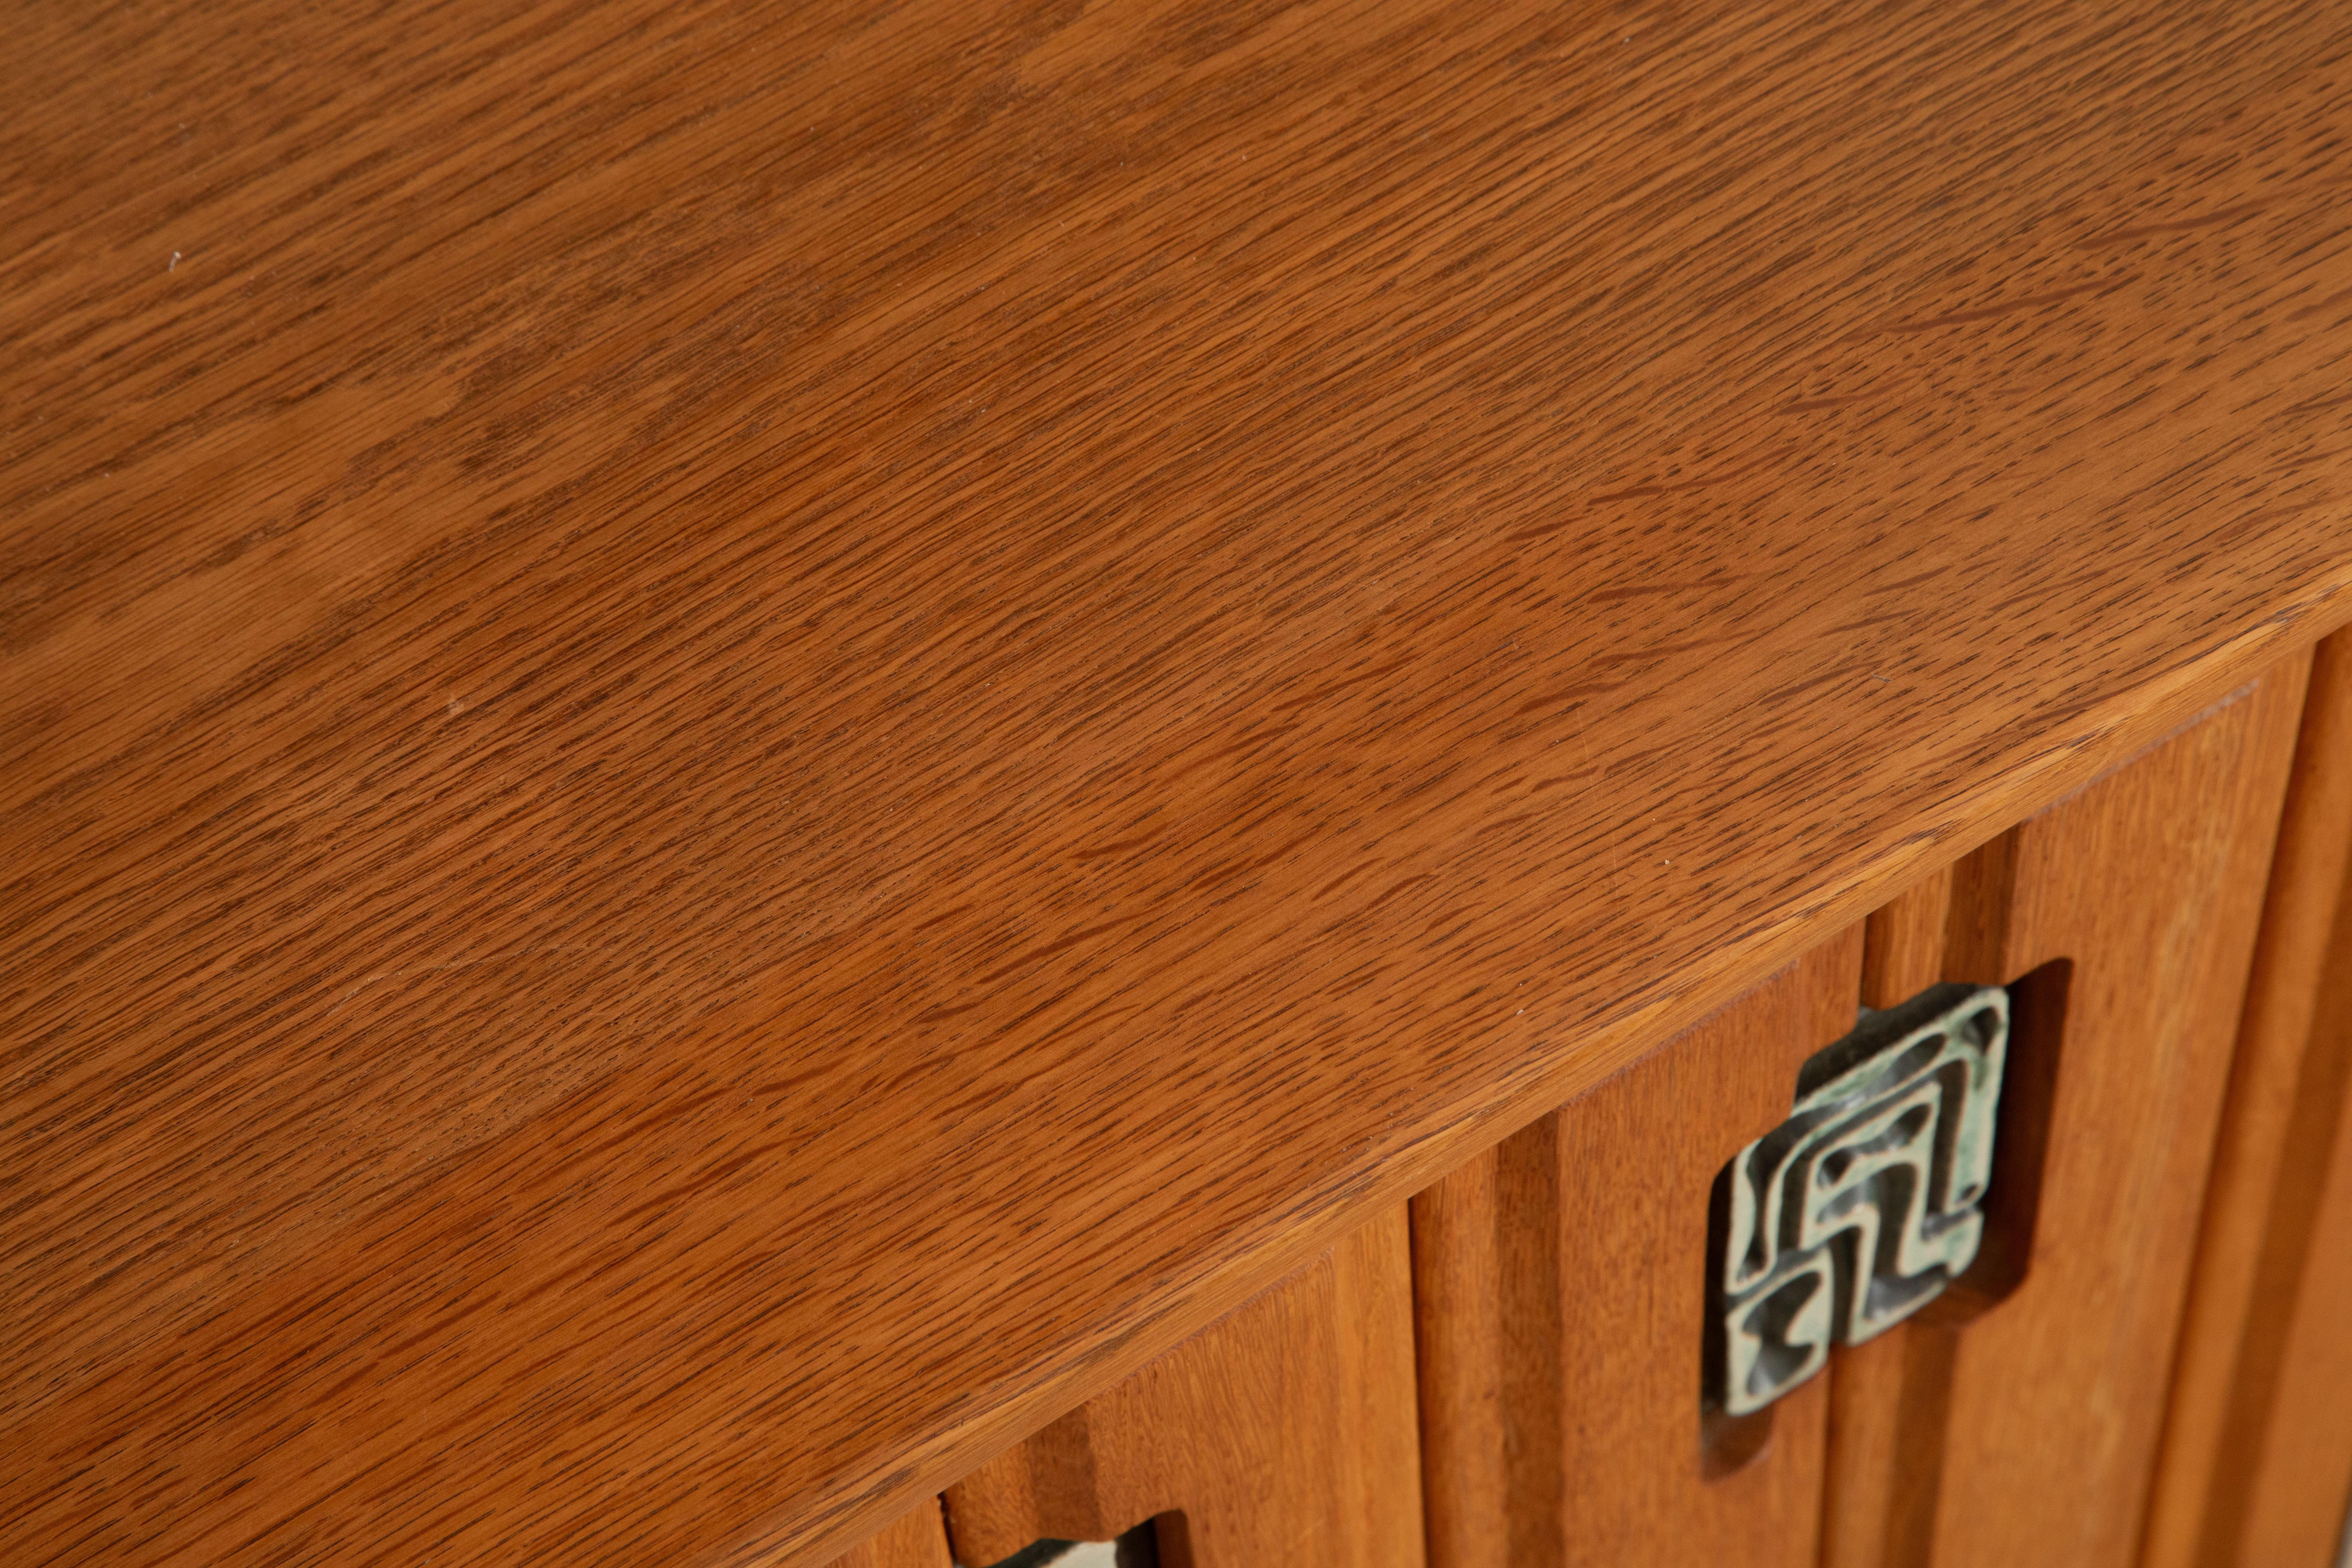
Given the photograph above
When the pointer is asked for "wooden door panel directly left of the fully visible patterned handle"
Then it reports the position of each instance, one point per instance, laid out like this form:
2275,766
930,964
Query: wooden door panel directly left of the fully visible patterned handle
1563,1292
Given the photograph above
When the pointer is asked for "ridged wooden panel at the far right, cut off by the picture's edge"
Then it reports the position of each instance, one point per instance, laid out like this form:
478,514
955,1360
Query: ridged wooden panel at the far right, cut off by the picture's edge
2257,1456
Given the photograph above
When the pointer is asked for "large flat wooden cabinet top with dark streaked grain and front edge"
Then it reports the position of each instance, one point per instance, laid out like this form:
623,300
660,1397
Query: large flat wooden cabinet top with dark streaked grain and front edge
742,742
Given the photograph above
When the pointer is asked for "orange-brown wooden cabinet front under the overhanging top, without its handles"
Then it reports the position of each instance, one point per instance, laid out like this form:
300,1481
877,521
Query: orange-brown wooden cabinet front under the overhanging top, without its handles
1514,1379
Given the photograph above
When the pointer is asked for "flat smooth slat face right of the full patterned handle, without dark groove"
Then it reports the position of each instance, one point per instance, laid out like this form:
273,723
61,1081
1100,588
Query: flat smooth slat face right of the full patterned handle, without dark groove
2151,885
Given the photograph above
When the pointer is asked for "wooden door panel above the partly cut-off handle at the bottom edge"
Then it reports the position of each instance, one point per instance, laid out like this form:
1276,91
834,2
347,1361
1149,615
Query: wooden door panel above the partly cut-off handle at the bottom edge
1281,1435
